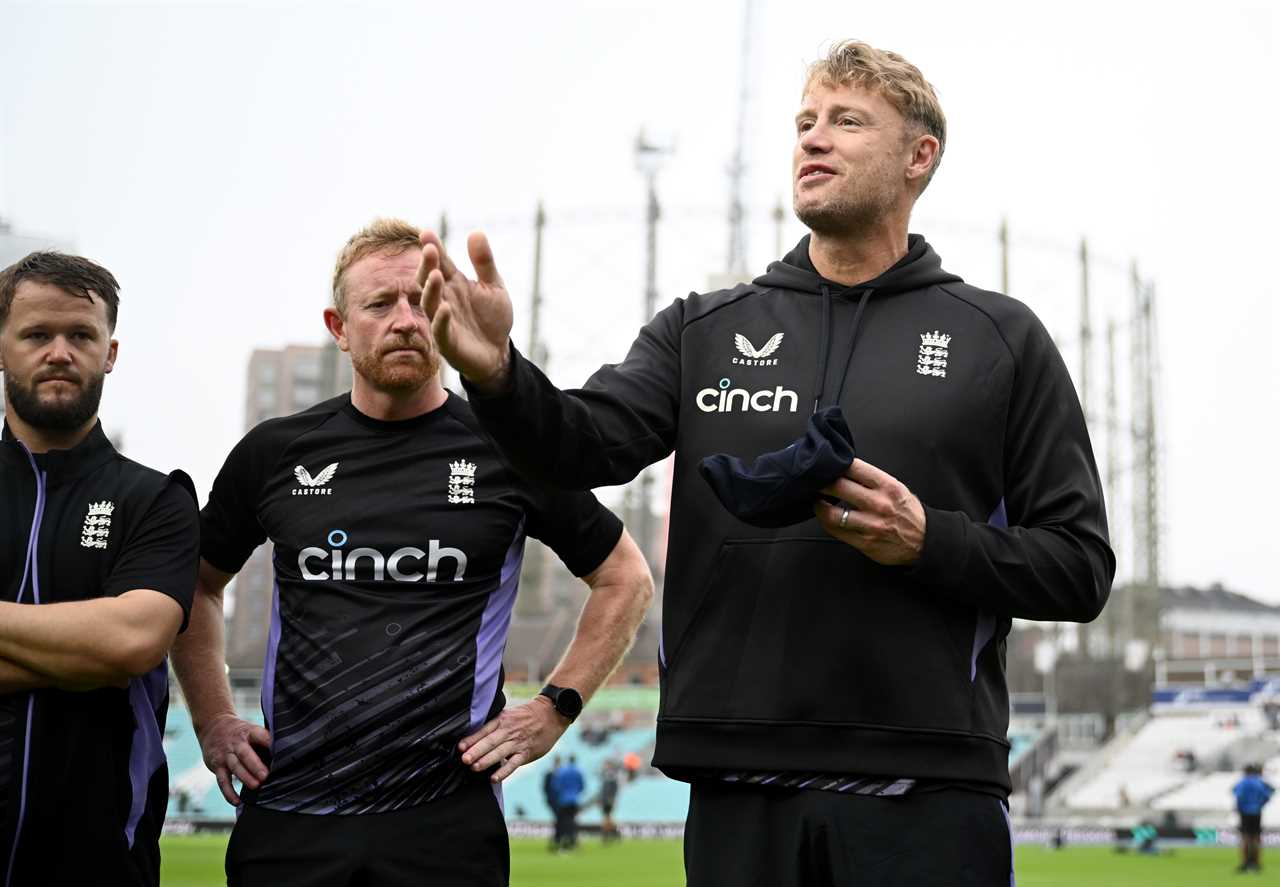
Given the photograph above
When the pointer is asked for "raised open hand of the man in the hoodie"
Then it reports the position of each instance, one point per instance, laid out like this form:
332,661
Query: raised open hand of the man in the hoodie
470,319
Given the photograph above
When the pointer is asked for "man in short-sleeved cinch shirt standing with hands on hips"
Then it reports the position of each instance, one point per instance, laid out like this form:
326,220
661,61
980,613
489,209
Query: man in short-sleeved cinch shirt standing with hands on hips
399,533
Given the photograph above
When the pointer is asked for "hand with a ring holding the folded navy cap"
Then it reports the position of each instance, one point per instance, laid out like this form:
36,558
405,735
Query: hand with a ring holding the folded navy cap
880,516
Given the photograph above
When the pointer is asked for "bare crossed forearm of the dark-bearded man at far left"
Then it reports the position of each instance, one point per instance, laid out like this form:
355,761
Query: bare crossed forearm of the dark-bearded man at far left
85,644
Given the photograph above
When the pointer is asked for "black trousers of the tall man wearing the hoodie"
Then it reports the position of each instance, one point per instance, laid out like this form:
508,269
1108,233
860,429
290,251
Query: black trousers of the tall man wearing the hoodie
752,836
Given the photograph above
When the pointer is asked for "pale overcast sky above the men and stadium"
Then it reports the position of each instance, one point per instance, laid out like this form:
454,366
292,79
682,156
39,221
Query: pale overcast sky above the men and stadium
216,157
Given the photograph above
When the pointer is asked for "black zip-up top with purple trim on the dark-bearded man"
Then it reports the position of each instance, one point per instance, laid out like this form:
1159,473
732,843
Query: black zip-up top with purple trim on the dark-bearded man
84,779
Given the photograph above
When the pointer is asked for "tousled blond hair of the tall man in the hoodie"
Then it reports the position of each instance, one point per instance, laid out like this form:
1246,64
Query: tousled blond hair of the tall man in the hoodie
902,84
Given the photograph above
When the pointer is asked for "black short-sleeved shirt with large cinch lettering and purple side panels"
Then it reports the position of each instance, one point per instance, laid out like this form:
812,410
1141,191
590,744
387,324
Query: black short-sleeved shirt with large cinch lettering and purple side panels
397,557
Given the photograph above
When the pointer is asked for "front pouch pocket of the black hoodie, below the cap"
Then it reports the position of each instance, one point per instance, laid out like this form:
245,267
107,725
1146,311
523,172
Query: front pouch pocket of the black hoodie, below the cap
808,630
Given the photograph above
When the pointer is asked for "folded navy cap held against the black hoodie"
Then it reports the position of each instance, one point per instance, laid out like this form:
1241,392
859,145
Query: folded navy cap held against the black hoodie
780,488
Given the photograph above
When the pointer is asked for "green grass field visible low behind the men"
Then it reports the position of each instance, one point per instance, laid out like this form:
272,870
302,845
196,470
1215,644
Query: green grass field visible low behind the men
198,862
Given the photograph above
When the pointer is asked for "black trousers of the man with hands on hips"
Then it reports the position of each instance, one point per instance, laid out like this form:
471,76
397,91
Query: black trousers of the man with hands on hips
456,842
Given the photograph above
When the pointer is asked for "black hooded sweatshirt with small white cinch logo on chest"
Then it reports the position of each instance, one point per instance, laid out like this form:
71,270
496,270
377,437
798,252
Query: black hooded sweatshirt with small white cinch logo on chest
787,650
